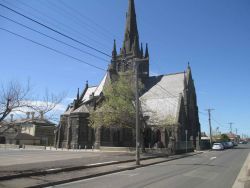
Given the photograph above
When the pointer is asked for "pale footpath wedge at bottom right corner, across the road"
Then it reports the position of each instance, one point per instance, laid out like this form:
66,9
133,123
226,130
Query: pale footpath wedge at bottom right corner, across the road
243,179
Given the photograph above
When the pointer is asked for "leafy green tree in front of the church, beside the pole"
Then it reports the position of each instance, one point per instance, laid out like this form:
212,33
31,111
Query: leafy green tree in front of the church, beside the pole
117,109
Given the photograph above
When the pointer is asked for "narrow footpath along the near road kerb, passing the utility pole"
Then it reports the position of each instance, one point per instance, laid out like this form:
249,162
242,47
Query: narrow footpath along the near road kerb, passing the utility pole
87,171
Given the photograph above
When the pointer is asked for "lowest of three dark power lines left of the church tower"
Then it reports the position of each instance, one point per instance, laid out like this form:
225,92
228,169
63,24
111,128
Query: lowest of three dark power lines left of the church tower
52,49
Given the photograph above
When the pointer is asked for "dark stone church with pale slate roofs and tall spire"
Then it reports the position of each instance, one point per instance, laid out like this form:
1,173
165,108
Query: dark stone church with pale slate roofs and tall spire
168,103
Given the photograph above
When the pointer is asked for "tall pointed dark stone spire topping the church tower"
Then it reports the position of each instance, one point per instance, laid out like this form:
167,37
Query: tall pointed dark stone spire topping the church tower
131,38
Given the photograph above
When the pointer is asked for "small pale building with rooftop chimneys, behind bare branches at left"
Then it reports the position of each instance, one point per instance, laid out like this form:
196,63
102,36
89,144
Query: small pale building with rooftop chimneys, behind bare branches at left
32,130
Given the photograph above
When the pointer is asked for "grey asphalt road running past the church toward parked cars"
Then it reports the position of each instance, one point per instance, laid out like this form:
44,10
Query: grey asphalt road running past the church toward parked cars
217,169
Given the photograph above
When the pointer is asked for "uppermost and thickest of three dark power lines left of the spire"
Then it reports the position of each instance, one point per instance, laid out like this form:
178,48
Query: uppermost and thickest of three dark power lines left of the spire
54,30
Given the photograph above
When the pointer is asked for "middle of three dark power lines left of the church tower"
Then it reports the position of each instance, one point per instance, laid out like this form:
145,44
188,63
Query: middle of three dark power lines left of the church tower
9,19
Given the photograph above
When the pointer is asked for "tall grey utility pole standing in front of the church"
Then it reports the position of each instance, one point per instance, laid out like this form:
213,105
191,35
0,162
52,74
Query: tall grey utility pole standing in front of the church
137,115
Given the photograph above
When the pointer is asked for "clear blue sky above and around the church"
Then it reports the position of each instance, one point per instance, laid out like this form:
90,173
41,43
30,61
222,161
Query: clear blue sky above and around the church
214,36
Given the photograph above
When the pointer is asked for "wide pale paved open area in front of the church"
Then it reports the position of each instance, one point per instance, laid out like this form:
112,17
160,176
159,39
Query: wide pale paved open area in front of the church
26,163
